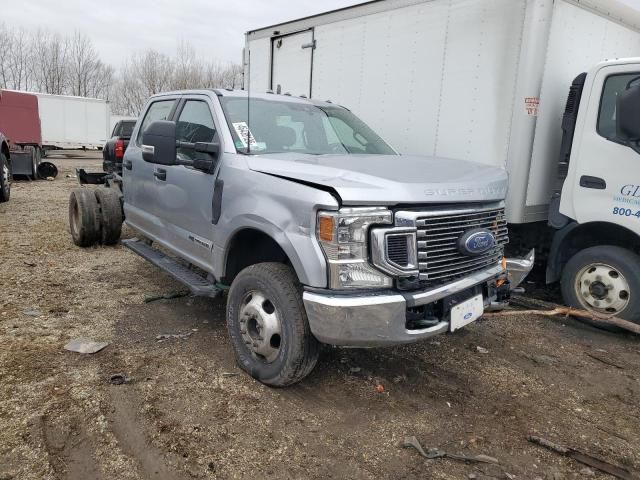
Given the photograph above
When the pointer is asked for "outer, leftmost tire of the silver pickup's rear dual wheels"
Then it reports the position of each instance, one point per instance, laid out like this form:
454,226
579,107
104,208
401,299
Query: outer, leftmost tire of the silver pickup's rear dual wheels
84,217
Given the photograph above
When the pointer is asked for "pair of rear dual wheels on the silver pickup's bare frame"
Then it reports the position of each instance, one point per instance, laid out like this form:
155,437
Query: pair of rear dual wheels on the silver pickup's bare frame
95,216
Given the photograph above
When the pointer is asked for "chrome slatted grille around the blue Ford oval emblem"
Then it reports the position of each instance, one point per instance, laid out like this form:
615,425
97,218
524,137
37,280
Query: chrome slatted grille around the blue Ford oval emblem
438,233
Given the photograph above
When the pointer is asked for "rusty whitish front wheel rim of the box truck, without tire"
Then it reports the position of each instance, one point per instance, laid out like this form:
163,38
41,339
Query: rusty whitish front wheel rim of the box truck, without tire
602,288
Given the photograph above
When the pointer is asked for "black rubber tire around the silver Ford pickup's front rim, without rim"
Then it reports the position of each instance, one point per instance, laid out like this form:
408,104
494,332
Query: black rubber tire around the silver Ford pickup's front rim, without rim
298,350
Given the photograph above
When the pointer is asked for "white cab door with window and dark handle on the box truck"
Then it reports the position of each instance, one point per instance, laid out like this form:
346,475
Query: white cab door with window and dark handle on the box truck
606,172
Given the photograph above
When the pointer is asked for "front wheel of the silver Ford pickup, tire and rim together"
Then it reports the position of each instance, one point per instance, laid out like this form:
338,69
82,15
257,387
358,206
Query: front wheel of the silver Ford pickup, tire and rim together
268,325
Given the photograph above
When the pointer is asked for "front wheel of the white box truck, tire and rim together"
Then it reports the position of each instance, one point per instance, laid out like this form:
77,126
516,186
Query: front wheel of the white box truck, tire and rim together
604,280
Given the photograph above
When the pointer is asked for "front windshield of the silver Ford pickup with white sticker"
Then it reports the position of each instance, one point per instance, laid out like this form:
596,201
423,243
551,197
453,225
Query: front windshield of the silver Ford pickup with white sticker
279,126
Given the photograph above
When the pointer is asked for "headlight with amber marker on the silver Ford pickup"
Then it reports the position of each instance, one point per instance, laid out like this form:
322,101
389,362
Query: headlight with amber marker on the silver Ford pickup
343,236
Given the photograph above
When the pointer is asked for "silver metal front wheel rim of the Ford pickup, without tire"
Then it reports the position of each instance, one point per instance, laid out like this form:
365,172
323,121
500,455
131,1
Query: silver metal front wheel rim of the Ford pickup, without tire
260,326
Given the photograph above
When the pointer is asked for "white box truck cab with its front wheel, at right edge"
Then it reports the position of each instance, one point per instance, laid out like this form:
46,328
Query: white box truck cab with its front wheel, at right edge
596,213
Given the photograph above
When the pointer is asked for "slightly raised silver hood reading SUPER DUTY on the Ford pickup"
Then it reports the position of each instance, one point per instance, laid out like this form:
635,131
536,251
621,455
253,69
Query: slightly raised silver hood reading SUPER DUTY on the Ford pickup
388,179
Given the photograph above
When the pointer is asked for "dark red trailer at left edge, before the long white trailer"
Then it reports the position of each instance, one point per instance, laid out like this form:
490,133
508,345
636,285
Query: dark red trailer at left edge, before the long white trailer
20,124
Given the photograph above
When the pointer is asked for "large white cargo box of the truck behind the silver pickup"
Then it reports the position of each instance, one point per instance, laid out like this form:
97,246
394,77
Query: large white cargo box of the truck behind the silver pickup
478,80
